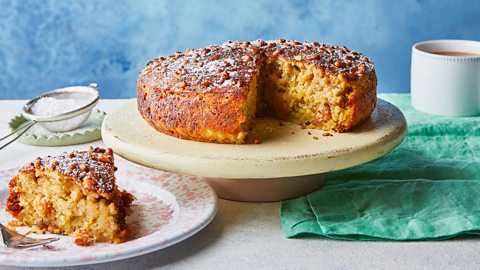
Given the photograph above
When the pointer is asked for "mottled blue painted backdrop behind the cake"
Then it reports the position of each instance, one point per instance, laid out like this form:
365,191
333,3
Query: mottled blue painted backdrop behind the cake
50,44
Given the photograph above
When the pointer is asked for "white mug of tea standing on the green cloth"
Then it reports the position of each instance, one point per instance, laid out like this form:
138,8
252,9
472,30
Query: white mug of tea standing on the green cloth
443,83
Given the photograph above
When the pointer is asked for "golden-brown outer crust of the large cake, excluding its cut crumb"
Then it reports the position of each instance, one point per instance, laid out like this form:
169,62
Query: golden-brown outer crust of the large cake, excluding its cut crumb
201,94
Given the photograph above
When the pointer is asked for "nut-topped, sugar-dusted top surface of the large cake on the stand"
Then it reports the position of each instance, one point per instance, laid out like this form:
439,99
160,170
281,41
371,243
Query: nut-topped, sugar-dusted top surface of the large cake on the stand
231,66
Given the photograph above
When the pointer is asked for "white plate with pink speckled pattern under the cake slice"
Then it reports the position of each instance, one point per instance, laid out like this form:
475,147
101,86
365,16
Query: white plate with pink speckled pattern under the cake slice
169,208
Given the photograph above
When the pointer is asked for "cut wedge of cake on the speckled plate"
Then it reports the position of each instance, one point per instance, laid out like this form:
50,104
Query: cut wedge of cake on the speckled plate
72,194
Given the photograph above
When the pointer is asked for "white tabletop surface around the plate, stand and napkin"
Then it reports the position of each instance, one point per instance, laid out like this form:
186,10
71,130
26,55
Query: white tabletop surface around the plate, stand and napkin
248,235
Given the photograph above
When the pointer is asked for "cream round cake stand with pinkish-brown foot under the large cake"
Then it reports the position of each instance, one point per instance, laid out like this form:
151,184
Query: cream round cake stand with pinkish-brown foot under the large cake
288,162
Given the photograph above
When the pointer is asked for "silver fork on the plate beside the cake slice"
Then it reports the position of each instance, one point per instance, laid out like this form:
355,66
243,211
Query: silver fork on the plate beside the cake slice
13,239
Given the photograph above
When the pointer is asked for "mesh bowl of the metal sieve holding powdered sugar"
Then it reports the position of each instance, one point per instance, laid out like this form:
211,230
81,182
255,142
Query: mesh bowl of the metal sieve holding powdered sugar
62,109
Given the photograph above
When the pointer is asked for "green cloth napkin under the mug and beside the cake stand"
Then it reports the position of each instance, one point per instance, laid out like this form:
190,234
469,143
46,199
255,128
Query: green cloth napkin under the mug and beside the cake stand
427,188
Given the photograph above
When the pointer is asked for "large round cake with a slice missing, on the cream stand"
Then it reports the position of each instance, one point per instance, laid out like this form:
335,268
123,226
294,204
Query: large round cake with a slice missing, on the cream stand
213,94
